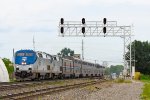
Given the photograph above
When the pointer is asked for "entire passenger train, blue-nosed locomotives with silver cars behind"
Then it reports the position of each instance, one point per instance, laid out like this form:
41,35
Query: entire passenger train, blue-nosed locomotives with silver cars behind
32,65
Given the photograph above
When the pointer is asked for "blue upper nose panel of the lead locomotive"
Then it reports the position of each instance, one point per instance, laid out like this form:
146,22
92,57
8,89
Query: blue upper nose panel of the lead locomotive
26,56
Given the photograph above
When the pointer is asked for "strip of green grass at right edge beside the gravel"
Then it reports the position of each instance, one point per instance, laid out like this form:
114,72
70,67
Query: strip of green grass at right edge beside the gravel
146,89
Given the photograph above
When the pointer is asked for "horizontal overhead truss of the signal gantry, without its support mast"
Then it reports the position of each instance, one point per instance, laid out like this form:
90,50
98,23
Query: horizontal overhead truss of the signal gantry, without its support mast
93,28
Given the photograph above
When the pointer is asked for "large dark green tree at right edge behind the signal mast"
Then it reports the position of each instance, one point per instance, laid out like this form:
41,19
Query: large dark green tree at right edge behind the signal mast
142,56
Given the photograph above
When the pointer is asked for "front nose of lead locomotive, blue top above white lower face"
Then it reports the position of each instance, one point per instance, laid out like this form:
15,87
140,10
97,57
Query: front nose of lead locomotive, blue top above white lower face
24,59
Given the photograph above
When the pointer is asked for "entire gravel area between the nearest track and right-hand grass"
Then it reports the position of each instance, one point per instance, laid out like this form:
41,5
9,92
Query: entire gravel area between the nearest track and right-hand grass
102,91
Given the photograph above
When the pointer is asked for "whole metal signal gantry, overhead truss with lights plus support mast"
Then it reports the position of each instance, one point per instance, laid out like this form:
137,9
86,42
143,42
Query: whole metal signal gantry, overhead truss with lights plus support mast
99,29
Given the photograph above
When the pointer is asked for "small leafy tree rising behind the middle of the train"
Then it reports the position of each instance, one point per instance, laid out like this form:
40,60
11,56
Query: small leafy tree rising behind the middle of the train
66,52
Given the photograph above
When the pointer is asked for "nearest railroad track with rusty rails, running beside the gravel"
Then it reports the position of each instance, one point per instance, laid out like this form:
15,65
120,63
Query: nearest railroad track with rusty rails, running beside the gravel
44,91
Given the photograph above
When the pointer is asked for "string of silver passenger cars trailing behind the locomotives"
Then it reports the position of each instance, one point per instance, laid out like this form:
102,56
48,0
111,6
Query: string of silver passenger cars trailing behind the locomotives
74,67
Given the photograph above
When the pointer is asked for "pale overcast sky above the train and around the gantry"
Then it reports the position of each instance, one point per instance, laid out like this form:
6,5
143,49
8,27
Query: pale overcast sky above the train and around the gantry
21,19
